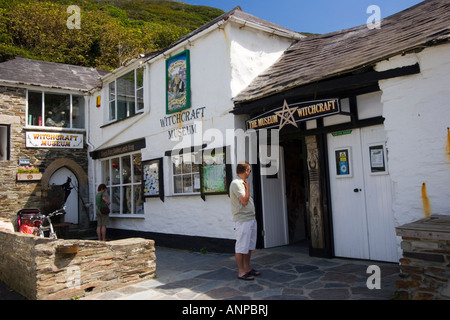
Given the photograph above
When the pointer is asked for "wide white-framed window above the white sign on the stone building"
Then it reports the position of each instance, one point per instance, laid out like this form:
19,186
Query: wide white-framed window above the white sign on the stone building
55,110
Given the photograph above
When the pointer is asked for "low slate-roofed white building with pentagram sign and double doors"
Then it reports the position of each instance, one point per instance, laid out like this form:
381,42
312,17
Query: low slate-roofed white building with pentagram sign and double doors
385,159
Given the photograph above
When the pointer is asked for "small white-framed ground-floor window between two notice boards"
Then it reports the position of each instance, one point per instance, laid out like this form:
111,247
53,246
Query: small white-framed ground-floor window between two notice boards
186,173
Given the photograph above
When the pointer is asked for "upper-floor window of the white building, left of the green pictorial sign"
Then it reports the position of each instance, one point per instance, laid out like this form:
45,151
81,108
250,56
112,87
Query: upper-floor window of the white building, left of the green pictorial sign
126,95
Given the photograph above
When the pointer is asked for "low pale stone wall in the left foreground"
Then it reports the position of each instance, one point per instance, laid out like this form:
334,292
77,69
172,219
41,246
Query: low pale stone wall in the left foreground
37,269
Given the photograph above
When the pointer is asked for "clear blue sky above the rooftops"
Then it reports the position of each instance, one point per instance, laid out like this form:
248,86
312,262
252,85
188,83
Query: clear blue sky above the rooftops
314,16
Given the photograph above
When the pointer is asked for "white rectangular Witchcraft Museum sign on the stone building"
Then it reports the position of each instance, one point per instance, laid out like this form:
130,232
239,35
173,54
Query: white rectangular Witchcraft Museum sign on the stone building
60,140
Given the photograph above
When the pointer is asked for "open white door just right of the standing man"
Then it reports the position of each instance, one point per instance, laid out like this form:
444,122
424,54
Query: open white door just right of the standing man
275,224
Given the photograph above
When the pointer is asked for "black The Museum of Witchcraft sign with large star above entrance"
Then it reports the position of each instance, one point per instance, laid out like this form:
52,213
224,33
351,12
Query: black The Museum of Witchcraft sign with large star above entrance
294,113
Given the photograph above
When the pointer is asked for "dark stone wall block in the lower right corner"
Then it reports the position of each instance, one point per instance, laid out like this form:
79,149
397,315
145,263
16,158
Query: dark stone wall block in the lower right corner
425,265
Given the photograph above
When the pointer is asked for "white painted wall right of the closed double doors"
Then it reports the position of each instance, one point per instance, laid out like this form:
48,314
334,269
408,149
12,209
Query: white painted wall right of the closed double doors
417,113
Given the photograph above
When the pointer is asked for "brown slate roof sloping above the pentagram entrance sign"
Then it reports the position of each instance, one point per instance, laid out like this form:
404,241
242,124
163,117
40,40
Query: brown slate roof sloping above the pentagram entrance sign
325,56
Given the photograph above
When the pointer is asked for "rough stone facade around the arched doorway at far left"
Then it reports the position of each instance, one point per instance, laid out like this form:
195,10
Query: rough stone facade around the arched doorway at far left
28,194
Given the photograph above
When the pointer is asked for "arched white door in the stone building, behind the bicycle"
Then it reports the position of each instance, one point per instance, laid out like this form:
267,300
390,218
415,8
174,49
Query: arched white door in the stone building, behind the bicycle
59,178
